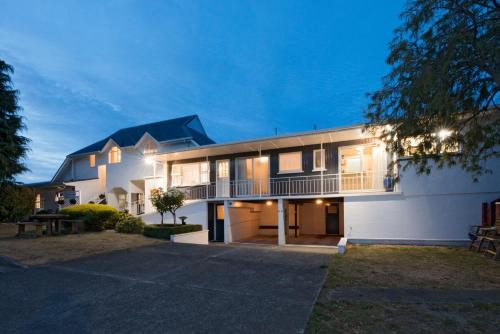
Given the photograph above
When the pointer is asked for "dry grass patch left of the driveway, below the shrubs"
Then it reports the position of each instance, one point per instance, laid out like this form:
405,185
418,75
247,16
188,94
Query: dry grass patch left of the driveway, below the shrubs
42,250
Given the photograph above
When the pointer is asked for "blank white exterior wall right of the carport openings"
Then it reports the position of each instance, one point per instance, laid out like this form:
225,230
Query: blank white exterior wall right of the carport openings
428,208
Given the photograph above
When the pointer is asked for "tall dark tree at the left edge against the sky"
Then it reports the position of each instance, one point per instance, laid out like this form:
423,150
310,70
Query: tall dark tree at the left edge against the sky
13,146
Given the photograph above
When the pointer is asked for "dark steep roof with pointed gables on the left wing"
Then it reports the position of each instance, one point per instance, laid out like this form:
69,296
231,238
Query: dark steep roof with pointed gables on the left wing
161,131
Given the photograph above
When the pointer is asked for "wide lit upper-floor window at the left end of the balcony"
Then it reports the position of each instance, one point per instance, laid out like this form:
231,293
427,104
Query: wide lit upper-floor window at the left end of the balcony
190,174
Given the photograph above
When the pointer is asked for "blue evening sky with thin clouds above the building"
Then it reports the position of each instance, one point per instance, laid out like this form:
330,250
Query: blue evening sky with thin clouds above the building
88,68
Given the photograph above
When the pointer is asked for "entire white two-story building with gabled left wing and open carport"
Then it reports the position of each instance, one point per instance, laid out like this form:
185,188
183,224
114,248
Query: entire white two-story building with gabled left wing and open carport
304,188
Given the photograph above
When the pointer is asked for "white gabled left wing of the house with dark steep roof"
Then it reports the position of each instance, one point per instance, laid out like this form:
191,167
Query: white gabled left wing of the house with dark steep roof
119,169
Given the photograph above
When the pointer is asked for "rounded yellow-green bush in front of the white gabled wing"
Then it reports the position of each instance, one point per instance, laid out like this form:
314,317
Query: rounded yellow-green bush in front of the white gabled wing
94,215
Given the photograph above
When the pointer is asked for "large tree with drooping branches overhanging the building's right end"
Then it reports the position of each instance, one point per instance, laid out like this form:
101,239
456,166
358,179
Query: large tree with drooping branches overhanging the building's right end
439,103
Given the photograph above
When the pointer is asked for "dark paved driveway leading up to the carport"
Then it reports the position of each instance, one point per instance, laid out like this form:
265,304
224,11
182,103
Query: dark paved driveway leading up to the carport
172,288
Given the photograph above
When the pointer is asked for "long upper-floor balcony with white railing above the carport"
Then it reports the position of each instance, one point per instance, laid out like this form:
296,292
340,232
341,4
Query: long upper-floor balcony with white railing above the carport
290,186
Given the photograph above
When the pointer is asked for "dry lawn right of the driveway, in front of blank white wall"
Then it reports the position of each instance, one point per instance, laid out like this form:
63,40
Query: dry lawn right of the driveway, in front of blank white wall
391,268
